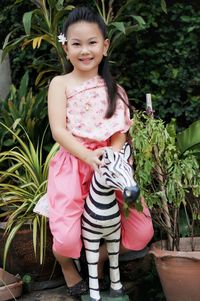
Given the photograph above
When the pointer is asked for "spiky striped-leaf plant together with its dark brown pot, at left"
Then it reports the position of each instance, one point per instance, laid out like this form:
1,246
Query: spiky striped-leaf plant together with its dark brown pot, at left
23,180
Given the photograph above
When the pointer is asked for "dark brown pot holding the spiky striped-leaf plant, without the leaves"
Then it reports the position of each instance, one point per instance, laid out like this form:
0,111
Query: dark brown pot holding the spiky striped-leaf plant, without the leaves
22,260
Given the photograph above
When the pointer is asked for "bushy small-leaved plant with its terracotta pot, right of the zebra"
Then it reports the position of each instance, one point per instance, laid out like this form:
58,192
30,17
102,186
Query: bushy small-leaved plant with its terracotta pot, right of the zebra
169,180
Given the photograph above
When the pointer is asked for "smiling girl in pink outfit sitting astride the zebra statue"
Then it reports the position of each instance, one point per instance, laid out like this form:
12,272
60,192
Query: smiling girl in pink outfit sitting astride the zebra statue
87,112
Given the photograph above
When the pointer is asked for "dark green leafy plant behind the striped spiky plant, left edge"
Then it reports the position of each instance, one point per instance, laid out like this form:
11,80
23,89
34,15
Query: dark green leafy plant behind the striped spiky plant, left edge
24,107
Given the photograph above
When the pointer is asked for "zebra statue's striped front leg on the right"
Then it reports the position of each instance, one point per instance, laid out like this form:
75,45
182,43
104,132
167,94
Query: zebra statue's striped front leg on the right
113,244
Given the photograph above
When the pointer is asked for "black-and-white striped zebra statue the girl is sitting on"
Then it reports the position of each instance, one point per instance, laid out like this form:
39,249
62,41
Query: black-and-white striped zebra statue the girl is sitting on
101,216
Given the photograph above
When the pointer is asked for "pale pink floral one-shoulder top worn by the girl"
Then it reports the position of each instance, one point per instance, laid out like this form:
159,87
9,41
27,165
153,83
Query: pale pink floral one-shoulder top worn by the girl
86,109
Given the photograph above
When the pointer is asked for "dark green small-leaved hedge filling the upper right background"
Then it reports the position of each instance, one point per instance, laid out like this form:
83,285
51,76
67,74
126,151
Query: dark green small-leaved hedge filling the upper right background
163,60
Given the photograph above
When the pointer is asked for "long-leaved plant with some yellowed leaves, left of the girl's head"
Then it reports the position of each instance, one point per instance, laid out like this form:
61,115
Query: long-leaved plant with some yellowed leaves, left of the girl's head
42,24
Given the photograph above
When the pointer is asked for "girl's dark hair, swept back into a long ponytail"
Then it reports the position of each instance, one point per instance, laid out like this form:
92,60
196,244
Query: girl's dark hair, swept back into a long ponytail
85,14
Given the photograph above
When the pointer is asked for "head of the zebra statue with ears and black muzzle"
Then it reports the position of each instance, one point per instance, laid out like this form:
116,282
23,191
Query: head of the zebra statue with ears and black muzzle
117,173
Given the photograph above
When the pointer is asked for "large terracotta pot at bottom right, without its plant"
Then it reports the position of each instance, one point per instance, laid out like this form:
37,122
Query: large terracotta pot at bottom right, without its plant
179,271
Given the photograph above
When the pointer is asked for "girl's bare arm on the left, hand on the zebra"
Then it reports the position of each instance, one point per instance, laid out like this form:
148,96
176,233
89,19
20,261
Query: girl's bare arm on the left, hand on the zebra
57,119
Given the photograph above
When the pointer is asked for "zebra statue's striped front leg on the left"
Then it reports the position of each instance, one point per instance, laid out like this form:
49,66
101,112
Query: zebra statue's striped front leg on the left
92,256
